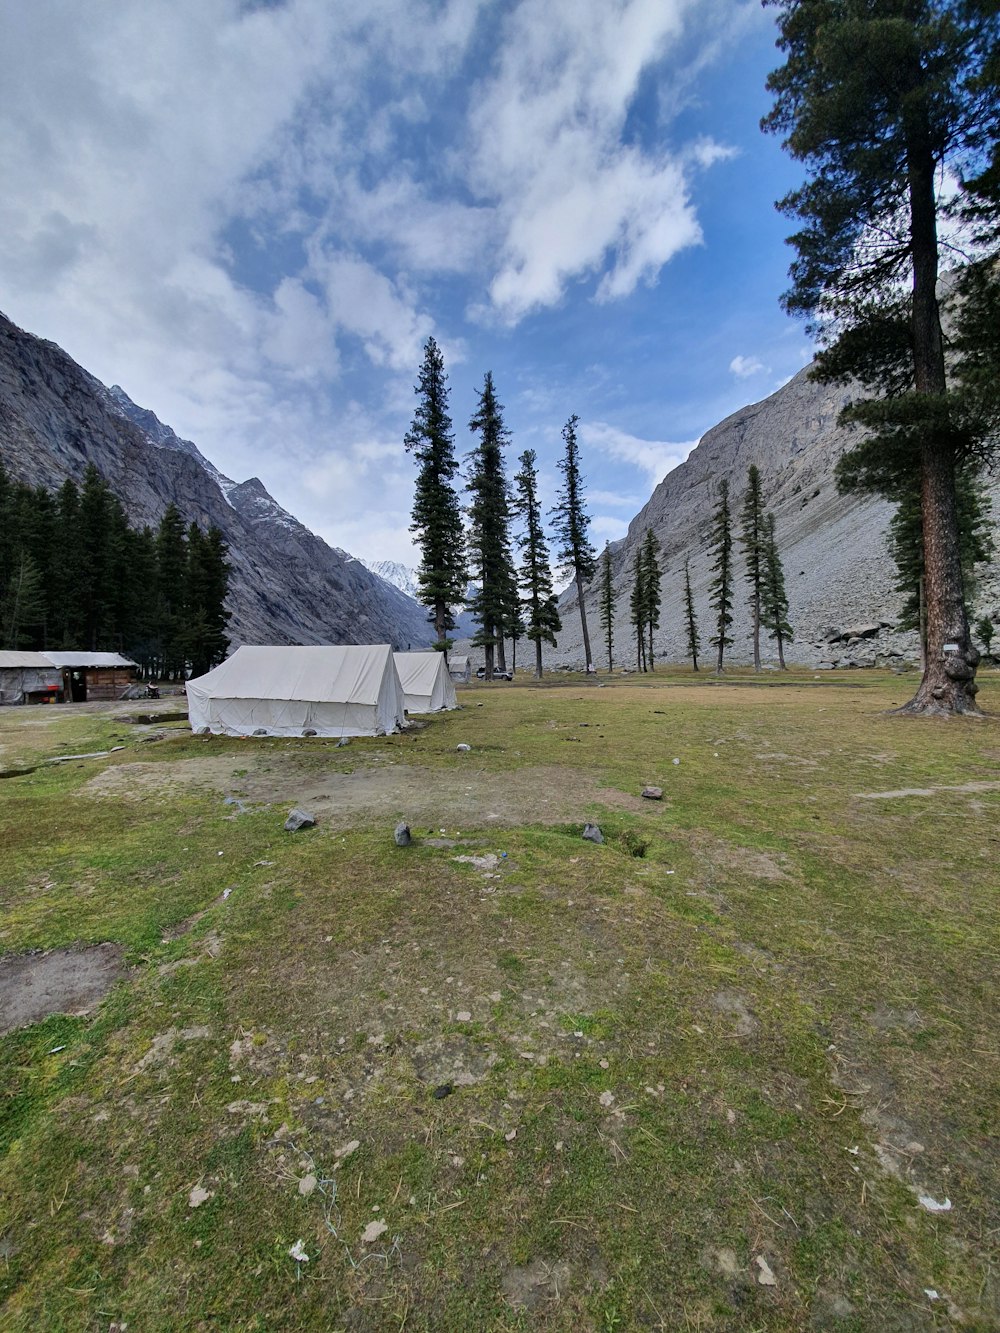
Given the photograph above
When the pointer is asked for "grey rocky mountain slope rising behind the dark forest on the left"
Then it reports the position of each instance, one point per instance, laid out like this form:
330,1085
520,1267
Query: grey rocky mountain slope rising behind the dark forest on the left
287,586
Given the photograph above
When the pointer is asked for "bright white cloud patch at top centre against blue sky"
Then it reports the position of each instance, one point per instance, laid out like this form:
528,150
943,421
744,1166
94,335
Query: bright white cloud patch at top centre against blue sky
549,149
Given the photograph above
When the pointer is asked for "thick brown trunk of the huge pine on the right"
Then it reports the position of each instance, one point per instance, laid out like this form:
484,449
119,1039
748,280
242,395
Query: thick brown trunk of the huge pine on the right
950,671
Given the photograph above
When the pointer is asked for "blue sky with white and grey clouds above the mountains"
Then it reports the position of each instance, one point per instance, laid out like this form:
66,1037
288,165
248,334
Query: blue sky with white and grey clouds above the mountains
251,217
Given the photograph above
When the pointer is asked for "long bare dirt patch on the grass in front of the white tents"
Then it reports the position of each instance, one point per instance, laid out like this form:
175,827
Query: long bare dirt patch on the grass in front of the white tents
426,798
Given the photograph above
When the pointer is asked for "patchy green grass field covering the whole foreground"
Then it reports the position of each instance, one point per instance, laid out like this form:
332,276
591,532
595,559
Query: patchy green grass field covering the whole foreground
697,1078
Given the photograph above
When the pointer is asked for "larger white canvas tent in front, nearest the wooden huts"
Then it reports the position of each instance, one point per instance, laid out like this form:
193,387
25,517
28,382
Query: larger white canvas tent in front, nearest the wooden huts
327,691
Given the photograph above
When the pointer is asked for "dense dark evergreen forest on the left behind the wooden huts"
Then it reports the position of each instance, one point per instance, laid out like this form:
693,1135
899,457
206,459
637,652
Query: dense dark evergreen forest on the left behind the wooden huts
75,577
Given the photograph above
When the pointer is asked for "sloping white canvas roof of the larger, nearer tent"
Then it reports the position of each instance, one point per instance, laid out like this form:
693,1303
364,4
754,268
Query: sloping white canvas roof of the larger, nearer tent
327,674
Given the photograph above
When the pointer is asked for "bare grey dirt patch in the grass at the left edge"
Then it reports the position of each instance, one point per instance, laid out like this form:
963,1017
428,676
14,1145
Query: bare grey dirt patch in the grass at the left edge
35,986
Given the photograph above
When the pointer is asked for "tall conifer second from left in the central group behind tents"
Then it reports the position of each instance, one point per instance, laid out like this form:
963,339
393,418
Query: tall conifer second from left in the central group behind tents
489,541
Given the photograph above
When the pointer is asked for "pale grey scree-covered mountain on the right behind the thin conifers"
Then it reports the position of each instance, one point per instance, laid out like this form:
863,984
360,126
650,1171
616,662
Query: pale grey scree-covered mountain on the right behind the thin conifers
834,549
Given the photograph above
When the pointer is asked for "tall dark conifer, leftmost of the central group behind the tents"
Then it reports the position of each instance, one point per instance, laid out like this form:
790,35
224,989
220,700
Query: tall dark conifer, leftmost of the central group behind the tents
442,577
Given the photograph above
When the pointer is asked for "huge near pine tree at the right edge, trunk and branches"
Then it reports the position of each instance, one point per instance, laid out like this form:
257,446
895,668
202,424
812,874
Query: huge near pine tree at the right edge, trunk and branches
882,102
